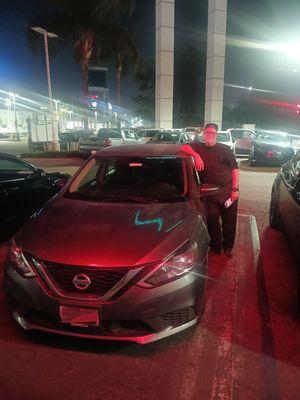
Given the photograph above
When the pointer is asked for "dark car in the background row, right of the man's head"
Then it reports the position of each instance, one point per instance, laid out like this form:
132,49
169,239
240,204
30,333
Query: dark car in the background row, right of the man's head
271,148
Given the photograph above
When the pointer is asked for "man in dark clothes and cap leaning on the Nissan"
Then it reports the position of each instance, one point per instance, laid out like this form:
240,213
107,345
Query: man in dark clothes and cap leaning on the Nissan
220,168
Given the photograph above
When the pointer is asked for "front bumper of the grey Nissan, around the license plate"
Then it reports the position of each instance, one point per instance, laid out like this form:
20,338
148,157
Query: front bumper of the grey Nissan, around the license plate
139,315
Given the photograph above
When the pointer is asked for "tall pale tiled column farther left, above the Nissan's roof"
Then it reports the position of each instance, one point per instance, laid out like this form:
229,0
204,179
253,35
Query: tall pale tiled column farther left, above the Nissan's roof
164,65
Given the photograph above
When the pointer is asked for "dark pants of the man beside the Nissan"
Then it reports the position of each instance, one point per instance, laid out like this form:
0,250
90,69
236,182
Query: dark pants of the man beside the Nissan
221,224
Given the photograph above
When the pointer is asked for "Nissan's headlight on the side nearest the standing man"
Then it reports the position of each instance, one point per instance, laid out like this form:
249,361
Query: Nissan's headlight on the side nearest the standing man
174,267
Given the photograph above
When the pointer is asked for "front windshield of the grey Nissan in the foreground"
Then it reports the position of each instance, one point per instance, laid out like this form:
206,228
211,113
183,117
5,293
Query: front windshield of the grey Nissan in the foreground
130,179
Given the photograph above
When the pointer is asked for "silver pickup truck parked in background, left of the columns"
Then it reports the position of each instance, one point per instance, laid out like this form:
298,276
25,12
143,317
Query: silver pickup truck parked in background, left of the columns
107,137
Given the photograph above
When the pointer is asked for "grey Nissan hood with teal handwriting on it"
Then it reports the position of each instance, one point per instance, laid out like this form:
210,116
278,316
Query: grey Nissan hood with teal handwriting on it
84,233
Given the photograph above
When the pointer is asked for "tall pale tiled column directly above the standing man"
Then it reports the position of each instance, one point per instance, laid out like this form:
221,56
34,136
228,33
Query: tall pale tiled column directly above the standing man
215,64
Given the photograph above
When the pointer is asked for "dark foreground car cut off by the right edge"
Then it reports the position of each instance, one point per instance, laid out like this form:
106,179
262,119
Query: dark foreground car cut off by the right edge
285,205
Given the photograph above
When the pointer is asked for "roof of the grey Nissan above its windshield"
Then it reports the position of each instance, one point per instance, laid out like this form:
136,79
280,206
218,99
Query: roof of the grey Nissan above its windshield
142,150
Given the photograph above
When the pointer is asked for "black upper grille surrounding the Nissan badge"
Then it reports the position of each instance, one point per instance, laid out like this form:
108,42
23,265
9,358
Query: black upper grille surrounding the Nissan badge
102,280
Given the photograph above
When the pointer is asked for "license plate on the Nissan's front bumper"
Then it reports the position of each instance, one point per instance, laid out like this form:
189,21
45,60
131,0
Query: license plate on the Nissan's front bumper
78,316
